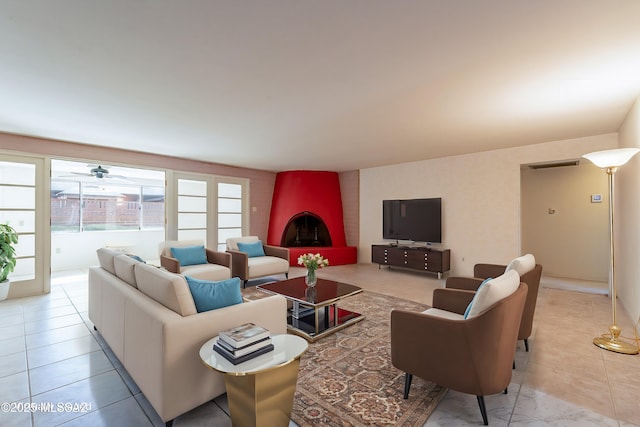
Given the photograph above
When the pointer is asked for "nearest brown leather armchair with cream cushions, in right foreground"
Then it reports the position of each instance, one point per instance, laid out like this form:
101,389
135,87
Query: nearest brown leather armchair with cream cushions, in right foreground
472,355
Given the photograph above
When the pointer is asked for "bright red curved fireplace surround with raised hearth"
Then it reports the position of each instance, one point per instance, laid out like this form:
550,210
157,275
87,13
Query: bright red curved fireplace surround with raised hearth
317,192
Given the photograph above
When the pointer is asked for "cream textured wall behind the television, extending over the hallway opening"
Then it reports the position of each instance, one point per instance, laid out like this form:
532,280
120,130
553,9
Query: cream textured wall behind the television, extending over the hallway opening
480,192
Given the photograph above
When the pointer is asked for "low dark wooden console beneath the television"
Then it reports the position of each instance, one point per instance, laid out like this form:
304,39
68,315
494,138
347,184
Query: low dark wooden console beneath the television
418,258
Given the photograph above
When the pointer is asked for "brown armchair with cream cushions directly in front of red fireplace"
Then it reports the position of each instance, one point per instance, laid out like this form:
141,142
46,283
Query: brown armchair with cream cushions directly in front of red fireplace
275,261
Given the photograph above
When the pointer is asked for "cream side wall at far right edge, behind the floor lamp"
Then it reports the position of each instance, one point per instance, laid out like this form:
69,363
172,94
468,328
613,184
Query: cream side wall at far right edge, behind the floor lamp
628,219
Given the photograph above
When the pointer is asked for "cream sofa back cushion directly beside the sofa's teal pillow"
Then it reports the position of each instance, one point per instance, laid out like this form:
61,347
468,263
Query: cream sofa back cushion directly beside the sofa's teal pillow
168,289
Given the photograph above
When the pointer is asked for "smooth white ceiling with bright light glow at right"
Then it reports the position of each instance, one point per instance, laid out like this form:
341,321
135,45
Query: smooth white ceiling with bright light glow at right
329,84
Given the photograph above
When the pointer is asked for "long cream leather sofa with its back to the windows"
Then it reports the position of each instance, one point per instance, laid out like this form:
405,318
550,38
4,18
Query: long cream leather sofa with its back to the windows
148,317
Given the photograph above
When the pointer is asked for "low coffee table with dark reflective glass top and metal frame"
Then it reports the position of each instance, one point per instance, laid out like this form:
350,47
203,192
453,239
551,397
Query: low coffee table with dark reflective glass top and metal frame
315,312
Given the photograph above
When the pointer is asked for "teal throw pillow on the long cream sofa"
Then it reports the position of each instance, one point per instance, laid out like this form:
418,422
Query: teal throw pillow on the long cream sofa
210,295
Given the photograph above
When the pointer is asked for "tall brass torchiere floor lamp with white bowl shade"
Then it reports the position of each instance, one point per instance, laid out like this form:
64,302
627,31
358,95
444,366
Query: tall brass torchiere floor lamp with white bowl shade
610,161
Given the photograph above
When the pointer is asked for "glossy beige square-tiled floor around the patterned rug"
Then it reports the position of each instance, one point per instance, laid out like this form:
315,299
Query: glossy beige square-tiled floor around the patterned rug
50,353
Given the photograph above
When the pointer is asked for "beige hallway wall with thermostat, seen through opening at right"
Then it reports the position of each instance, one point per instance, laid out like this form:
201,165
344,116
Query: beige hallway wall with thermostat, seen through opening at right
572,241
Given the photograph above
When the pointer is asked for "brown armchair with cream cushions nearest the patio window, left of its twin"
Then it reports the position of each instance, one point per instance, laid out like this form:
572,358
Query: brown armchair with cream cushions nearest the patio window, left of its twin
218,265
